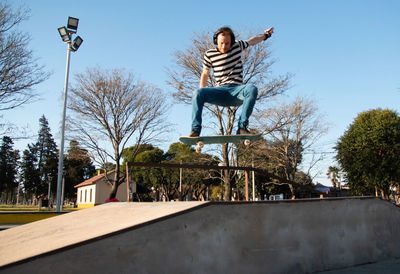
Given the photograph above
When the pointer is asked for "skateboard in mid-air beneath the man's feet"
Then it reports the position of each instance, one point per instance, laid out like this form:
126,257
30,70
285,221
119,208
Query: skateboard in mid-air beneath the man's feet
218,139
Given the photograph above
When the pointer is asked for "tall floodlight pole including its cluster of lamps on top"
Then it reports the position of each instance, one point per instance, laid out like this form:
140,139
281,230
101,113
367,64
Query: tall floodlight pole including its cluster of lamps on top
66,35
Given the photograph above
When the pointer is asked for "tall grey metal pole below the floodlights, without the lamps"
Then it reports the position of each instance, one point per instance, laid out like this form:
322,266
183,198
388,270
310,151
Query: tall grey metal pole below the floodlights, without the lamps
61,152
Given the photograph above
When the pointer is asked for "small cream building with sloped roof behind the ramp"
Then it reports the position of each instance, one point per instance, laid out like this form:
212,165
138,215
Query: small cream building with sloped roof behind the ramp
96,190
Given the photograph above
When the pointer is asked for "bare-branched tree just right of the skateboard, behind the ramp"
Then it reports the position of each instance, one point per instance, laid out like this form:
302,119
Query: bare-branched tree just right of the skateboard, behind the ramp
292,129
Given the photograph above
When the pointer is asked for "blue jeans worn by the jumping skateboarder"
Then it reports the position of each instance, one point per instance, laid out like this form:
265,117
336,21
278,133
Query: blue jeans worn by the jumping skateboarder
226,95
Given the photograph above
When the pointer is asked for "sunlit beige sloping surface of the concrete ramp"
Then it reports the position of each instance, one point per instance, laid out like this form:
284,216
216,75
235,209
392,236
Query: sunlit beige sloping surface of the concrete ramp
54,233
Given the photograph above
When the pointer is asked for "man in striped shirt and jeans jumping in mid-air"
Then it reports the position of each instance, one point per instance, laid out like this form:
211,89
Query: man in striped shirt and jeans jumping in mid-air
226,62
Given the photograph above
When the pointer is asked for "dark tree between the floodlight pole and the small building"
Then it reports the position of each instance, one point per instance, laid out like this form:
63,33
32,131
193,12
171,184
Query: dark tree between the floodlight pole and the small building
78,168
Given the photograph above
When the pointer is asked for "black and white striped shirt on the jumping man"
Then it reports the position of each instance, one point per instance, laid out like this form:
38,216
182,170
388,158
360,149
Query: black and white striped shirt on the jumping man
227,67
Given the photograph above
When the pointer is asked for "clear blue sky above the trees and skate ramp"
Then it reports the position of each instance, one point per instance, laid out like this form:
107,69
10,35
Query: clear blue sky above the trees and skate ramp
344,53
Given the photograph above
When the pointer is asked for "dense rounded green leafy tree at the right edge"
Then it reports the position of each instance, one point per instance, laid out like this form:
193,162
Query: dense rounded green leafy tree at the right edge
369,150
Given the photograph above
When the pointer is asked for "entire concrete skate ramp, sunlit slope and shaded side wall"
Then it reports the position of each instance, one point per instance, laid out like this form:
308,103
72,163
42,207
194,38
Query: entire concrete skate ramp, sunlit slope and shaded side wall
300,236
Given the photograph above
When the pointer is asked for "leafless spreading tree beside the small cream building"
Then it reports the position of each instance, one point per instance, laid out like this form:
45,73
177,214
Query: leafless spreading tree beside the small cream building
111,107
